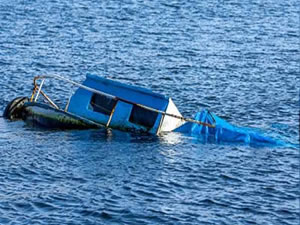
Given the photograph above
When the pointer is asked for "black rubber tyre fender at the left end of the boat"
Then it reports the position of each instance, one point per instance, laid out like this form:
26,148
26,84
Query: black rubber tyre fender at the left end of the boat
14,109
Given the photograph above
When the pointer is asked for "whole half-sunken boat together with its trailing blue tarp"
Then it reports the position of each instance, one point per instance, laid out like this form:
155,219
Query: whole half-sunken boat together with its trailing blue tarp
101,102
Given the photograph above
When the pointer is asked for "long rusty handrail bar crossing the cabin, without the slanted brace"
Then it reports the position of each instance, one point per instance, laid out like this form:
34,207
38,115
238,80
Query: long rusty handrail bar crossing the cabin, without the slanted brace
124,100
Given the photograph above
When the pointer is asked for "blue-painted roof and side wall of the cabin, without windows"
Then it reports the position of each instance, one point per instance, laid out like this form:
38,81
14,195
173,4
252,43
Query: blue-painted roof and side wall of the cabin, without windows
80,101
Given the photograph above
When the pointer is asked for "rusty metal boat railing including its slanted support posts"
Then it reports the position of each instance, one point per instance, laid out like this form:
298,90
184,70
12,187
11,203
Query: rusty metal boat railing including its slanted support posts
37,90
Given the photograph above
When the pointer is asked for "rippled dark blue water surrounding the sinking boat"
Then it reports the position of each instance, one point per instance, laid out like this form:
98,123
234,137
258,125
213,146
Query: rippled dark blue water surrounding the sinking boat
240,59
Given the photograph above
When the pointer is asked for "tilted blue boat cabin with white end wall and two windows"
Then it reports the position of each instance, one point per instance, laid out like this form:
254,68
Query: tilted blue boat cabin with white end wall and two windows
123,106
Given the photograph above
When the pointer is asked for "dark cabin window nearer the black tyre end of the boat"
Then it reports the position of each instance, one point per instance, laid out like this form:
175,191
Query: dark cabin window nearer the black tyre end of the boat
102,104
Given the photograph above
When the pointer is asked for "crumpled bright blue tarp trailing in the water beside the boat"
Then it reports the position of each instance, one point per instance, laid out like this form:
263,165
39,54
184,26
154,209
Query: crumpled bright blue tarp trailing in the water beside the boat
224,132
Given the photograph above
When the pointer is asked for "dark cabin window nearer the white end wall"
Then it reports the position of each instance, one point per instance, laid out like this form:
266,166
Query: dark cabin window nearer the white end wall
143,116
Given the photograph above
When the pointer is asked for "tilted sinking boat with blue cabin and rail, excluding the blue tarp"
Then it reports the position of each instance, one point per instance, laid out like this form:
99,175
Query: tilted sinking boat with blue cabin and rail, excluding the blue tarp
100,102
